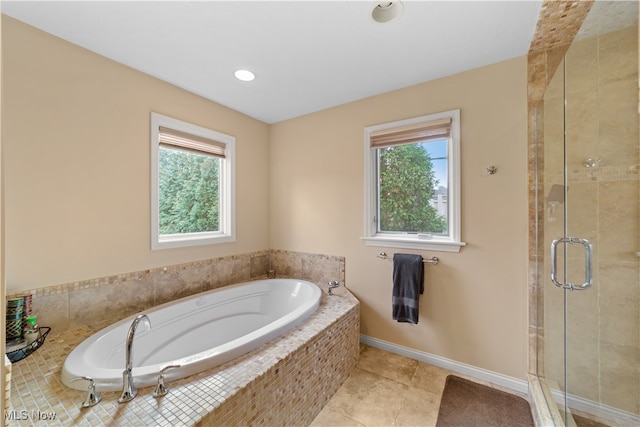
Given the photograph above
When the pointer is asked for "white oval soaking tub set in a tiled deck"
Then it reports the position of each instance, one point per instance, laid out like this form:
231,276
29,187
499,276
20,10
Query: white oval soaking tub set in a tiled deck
197,332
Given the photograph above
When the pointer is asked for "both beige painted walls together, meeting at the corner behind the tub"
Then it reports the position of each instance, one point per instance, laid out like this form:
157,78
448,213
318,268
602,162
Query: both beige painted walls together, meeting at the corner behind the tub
76,141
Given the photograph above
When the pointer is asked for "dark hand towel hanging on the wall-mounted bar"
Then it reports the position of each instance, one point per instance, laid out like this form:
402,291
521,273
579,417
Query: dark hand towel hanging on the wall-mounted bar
408,284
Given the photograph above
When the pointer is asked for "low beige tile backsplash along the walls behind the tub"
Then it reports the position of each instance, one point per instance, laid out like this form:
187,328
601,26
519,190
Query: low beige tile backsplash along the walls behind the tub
112,298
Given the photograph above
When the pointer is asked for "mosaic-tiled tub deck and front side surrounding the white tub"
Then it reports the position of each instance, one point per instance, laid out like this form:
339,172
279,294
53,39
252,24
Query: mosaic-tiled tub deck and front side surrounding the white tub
285,382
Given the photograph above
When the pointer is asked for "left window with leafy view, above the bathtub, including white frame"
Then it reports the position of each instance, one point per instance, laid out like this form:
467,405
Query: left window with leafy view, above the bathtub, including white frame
192,184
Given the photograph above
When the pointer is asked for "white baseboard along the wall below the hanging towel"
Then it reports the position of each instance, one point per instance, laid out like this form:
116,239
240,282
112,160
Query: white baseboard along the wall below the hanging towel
519,386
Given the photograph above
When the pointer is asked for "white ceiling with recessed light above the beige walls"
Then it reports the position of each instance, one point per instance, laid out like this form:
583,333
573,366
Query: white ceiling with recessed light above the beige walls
307,55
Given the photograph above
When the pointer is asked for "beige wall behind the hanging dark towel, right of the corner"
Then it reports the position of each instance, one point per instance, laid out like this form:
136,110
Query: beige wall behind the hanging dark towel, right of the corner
474,309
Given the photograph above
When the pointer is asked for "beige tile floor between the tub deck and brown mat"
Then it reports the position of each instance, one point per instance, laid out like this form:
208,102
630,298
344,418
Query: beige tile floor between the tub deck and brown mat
386,389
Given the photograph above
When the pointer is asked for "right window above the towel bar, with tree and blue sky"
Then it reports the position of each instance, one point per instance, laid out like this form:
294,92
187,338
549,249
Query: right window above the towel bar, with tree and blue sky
412,183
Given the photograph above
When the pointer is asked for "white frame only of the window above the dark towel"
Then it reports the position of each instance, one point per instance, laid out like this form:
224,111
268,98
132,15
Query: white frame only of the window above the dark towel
446,243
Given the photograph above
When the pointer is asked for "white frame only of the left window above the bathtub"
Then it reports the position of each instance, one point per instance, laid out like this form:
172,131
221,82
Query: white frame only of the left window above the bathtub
227,232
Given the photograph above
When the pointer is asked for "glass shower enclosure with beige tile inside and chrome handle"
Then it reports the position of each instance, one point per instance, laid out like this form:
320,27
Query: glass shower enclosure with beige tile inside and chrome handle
589,353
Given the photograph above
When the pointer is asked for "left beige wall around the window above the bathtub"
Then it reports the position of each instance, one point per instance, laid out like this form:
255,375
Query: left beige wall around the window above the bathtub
76,143
